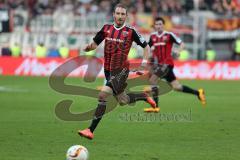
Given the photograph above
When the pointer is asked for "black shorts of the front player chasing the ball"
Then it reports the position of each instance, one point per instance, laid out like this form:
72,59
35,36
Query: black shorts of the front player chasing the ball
117,79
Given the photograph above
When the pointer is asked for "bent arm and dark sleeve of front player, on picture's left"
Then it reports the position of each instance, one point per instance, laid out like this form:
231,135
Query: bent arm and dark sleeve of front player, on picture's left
100,36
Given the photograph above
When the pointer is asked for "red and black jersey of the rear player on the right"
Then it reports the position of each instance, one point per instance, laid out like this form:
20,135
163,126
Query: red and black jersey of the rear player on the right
161,46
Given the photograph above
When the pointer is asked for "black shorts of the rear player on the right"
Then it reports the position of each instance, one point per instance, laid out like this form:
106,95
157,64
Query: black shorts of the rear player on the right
166,73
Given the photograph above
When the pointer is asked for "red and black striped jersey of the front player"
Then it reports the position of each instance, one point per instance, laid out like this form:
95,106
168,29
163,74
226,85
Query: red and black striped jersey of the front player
118,42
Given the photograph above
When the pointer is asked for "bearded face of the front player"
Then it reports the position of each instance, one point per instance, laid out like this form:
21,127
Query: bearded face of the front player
120,15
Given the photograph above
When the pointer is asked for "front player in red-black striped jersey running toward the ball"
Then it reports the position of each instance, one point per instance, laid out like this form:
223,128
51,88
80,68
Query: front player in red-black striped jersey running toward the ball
118,41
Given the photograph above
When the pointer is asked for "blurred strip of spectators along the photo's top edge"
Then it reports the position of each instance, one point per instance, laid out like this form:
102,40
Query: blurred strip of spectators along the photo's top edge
36,7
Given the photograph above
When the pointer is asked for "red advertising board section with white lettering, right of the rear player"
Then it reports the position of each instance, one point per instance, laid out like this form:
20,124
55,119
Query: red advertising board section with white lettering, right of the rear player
223,70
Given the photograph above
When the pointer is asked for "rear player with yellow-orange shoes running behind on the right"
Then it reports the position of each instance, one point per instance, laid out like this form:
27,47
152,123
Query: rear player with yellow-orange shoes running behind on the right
161,43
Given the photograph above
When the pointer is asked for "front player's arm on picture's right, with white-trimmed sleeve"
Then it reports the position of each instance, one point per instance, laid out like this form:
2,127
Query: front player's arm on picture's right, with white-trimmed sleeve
142,42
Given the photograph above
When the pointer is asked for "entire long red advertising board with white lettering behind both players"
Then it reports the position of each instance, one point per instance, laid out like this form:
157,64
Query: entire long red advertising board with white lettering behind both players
223,70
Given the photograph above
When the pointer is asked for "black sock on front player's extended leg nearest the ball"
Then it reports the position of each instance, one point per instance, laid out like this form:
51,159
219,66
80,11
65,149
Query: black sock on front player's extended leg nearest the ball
98,115
